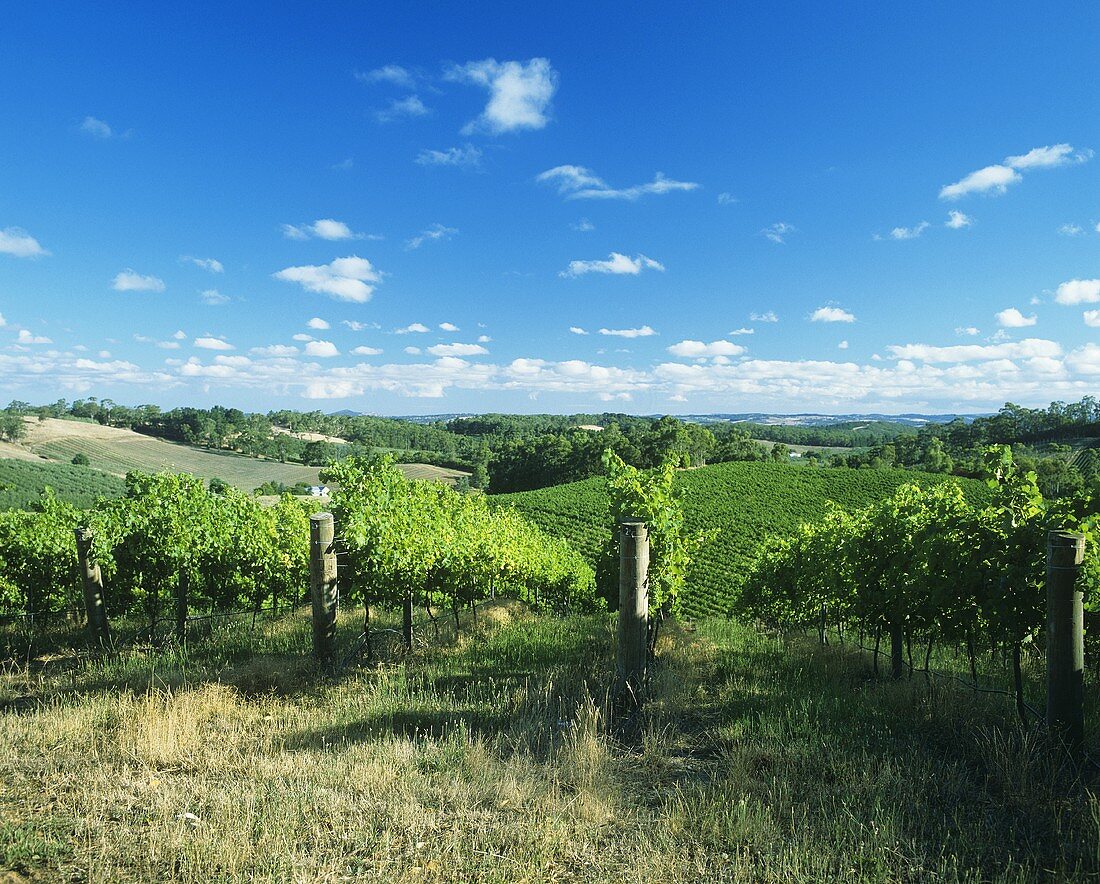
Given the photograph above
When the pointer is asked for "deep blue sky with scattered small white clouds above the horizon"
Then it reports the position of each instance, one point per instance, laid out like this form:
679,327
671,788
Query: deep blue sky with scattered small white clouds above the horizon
417,209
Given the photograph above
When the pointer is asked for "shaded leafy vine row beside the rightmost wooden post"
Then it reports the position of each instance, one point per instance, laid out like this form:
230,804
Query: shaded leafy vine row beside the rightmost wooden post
926,561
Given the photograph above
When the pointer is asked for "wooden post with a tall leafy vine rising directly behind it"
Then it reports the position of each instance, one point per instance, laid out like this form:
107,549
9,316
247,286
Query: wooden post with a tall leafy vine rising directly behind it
634,612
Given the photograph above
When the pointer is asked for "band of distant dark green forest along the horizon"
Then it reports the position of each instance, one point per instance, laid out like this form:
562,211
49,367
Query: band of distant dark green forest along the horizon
510,454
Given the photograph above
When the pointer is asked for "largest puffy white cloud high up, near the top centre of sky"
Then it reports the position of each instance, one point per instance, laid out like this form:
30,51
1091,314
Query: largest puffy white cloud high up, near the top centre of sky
520,94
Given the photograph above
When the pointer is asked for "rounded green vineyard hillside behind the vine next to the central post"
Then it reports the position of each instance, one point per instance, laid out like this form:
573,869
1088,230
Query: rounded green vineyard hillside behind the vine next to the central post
745,501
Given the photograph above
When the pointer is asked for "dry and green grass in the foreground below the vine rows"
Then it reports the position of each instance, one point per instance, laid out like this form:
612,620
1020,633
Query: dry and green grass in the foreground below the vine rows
765,759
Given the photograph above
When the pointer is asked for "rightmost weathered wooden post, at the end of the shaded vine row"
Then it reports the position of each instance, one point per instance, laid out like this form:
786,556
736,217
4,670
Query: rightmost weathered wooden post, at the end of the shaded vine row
1065,646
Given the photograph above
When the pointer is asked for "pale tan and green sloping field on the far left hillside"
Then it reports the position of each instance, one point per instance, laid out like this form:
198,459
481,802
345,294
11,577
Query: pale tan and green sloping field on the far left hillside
117,451
